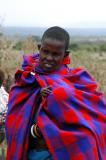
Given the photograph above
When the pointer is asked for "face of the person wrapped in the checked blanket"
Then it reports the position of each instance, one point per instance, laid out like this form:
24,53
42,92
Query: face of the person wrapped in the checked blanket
52,53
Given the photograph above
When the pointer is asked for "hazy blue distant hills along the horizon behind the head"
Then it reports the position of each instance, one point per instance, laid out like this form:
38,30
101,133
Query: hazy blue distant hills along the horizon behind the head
38,31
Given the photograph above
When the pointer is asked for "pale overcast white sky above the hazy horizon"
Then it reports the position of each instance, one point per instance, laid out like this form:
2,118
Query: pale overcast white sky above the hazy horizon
45,13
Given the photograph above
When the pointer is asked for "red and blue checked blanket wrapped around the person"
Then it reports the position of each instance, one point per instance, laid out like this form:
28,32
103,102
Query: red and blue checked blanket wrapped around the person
72,118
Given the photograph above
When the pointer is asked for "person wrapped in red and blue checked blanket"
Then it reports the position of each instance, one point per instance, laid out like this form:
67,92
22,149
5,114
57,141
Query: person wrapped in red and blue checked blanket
55,112
